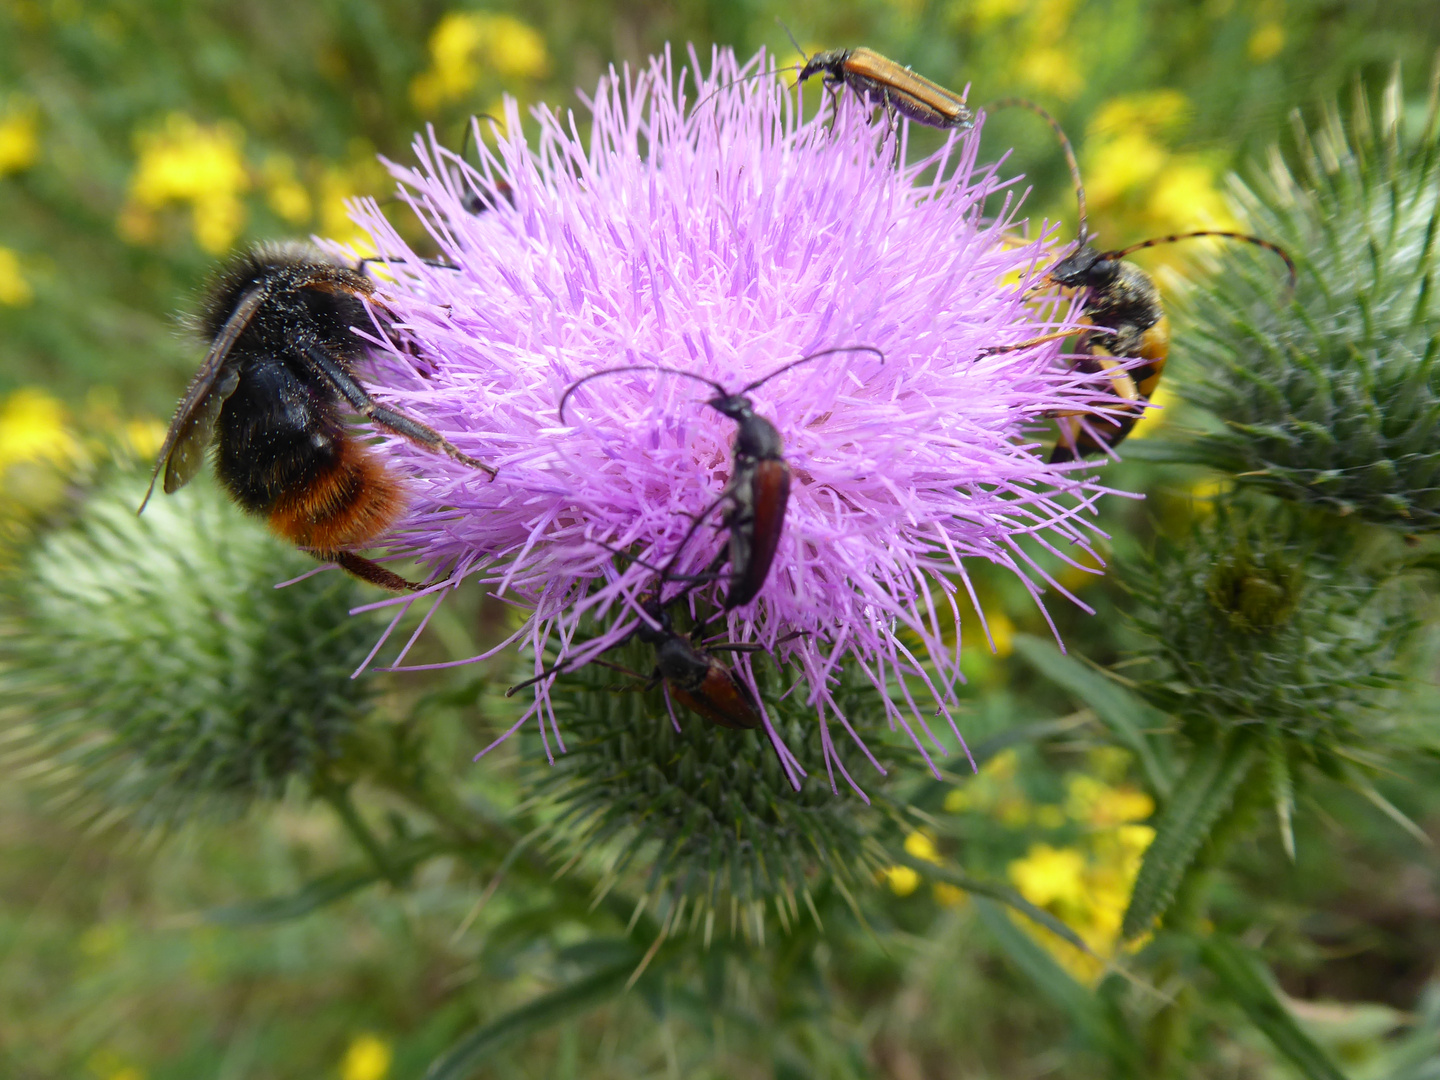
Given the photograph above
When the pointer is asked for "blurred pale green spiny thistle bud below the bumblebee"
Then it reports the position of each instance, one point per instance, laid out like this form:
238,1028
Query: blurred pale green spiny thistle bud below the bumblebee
150,666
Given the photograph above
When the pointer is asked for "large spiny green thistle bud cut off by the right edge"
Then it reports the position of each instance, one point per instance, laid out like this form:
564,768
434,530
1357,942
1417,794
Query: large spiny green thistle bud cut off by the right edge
1334,398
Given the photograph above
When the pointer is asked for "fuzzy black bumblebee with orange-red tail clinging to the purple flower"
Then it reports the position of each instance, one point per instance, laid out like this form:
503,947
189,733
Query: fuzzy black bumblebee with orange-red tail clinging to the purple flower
271,397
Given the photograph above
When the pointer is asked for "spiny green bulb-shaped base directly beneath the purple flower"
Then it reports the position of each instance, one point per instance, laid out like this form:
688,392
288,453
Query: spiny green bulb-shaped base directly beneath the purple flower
705,817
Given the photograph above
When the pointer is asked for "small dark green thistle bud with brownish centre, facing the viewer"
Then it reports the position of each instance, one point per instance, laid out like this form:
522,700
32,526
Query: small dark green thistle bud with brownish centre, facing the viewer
1254,621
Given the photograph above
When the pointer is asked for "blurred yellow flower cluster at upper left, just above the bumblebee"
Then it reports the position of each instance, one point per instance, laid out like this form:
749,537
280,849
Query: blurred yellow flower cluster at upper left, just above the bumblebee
186,162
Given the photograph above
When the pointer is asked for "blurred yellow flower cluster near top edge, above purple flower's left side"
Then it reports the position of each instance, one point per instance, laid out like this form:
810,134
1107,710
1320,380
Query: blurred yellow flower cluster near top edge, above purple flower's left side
467,44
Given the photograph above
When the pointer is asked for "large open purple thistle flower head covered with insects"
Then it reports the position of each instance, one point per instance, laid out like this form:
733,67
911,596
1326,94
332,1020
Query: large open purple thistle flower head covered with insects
729,241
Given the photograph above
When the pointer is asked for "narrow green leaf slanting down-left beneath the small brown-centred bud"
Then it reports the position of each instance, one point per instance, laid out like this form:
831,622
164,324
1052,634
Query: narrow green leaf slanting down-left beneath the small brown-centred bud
1192,811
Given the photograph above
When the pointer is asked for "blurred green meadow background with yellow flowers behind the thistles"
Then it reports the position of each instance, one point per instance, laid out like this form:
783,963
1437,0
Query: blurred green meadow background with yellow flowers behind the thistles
410,919
